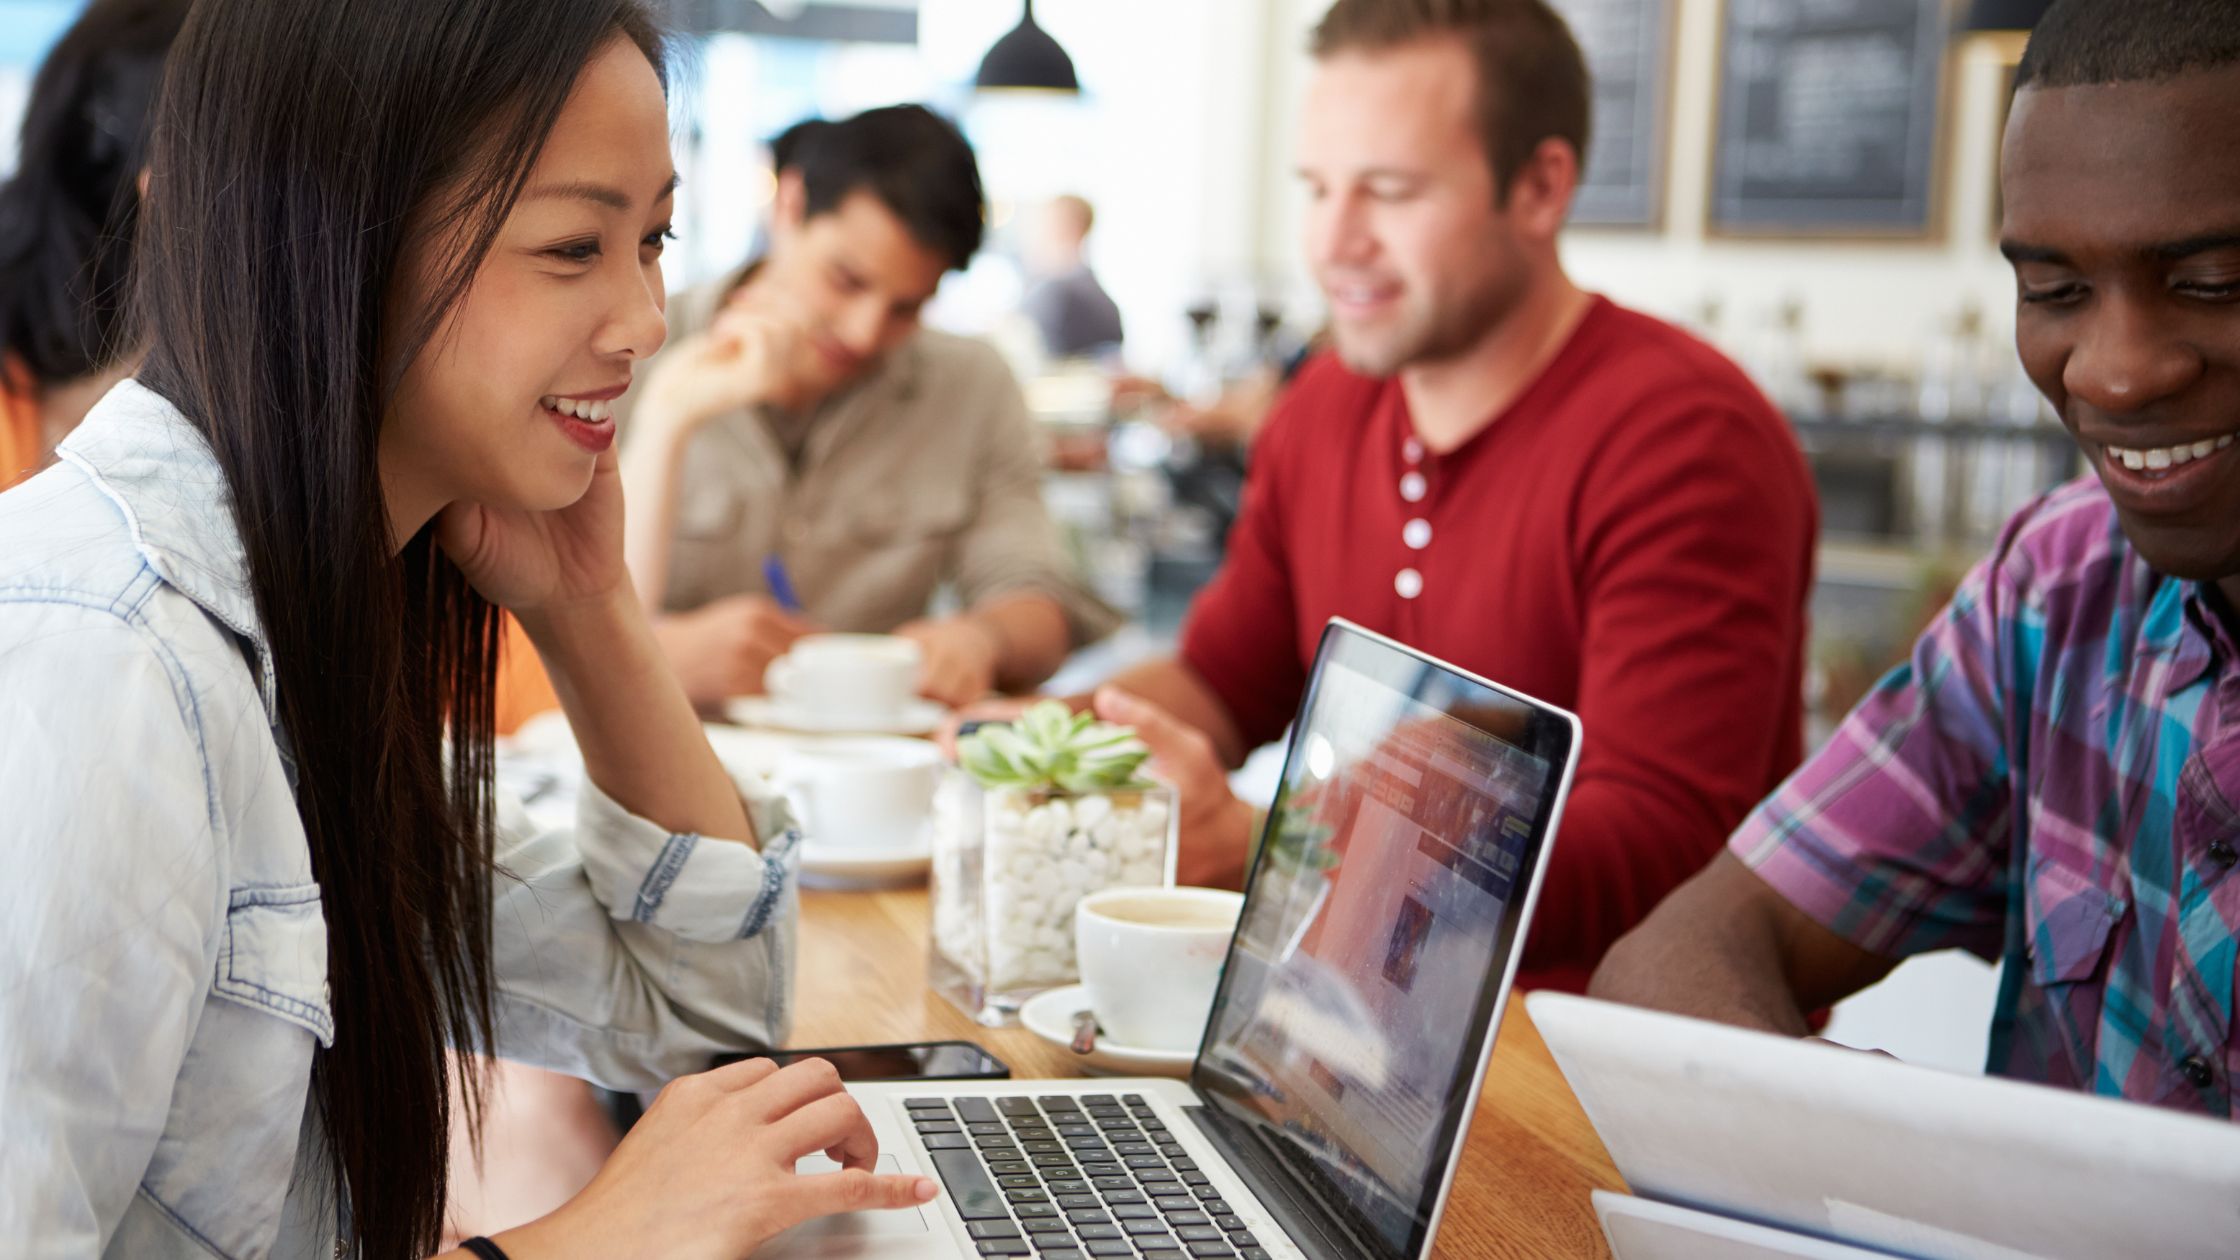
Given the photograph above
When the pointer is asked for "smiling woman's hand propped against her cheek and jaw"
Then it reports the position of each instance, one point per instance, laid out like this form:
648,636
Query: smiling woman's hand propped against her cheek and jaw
530,562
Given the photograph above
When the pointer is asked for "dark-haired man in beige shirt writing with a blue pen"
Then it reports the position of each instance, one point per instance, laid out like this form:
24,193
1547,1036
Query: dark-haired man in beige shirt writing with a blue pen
805,423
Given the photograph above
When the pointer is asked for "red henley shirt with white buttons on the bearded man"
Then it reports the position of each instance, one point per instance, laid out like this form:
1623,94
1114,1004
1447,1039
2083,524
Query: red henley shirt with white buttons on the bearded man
1632,539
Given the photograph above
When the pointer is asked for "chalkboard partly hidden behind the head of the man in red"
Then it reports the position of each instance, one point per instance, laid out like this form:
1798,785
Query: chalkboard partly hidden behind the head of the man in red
1627,48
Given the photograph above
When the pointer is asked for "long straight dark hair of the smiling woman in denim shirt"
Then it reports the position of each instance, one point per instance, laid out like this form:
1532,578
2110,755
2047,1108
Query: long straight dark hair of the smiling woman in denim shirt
301,149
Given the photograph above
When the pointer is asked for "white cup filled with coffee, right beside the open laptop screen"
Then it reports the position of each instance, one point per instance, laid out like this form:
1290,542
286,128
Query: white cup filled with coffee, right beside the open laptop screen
1152,961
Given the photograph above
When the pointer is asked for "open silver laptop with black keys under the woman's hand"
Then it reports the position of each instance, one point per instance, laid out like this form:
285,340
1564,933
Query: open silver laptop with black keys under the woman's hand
1350,1037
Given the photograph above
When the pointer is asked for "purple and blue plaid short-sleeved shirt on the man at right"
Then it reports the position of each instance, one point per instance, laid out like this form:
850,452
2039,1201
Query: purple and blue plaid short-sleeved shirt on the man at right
2053,781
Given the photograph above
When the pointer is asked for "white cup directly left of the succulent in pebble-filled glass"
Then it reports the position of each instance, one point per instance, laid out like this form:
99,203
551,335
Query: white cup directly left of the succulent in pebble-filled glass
870,795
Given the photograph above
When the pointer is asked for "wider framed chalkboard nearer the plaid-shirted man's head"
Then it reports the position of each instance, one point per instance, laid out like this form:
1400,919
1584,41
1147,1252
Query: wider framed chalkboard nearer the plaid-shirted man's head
1829,118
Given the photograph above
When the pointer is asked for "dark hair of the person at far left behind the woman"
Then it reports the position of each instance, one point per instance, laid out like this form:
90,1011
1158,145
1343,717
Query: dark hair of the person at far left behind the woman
66,216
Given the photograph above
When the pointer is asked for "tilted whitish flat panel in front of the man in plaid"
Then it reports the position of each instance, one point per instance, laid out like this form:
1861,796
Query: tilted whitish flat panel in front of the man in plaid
1824,1145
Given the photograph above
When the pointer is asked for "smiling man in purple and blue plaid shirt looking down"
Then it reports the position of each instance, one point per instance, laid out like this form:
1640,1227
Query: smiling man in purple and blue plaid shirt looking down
2055,777
